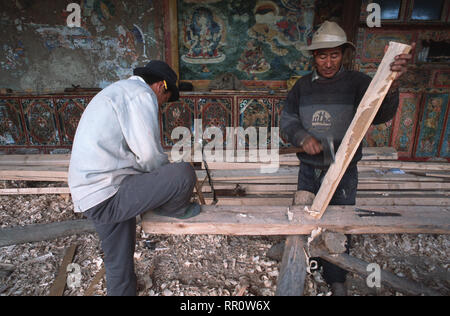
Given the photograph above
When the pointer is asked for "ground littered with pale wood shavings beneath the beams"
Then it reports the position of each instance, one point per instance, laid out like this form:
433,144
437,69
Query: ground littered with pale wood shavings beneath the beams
194,265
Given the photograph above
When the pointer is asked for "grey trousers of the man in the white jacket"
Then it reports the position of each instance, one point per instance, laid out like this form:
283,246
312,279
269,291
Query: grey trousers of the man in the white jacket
168,188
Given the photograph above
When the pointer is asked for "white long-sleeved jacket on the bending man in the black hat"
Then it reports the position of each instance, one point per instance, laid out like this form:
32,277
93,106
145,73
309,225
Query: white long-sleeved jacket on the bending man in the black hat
117,136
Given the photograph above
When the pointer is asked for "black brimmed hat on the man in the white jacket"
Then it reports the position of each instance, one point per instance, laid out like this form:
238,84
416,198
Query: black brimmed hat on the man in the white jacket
162,70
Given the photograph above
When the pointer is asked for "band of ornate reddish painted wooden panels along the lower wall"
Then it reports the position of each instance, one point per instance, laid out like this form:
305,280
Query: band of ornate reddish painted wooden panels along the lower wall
47,124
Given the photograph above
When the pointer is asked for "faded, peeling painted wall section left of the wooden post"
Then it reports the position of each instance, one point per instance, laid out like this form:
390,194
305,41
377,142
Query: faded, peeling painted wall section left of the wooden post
40,53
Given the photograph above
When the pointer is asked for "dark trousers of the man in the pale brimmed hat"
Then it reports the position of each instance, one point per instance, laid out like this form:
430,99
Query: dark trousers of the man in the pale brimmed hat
310,179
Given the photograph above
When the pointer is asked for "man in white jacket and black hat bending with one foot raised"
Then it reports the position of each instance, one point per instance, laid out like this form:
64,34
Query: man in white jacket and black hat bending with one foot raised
118,169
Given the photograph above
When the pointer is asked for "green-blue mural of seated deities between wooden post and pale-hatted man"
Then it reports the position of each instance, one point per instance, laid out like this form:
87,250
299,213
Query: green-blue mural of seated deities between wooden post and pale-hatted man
255,40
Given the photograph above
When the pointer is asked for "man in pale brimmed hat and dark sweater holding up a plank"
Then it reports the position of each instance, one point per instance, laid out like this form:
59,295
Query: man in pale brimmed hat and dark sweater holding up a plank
323,104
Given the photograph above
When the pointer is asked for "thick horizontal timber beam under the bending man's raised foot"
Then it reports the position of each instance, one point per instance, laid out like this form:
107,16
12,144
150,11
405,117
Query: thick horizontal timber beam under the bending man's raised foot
273,220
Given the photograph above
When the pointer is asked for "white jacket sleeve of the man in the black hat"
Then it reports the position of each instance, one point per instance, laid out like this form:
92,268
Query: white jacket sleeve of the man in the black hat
139,123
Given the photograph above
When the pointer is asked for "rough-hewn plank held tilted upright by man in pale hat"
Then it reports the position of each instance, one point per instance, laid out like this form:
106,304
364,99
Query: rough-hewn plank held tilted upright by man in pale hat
364,116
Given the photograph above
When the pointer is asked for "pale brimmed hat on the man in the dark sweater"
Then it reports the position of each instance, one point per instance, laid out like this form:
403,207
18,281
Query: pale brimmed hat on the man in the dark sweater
329,35
